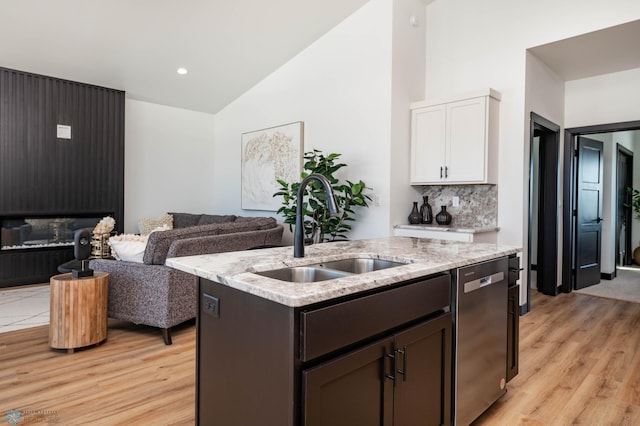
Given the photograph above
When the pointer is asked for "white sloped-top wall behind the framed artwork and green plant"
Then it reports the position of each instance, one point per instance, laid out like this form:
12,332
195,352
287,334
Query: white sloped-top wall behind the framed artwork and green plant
340,86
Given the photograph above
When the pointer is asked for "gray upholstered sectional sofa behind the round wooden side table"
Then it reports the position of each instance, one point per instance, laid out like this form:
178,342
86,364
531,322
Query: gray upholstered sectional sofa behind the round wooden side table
153,294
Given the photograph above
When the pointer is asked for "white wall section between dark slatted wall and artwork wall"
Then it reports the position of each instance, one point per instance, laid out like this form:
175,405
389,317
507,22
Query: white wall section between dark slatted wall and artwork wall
168,155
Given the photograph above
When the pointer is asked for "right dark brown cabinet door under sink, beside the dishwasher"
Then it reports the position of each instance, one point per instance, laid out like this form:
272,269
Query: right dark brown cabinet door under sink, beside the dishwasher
423,374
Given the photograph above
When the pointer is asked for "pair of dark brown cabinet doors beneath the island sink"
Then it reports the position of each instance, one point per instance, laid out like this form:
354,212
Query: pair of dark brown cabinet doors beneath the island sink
401,380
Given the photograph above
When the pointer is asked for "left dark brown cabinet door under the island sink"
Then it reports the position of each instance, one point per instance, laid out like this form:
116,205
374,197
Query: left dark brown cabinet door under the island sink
351,389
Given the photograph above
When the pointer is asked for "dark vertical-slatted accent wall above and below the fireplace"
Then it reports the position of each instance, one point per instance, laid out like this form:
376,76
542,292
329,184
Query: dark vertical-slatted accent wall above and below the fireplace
43,175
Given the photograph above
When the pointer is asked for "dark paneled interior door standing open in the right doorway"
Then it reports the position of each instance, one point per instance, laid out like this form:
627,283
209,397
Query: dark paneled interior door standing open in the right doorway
589,212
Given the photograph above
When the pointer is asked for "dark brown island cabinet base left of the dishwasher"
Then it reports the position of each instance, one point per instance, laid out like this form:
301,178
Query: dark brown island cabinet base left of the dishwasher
381,358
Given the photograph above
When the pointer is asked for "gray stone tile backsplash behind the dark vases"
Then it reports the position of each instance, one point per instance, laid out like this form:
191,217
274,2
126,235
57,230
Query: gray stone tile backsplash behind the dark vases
478,204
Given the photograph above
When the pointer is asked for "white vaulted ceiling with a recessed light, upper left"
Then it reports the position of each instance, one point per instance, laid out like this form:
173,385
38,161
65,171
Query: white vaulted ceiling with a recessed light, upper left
227,46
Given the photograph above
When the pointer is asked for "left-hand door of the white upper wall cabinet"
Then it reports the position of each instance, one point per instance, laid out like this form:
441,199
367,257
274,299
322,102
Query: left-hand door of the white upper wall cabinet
428,144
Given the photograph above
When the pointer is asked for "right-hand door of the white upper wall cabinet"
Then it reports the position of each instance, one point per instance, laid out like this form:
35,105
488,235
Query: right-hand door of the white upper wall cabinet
466,134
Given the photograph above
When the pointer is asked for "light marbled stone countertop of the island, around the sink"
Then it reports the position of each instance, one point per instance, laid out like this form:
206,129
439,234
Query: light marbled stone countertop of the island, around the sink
423,257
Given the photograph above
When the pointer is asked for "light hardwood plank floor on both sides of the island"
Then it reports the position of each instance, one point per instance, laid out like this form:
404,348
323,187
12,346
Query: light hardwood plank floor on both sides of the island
579,364
